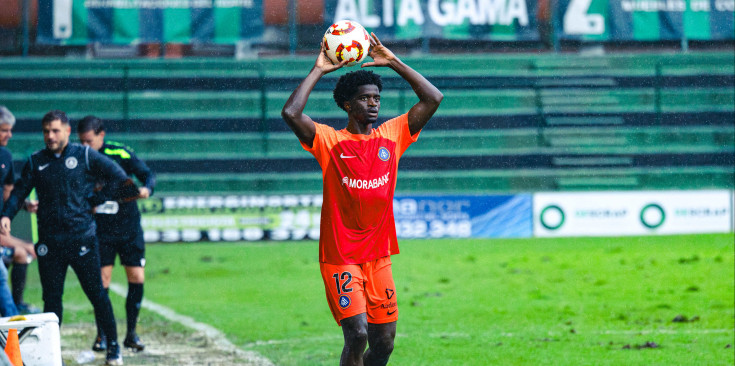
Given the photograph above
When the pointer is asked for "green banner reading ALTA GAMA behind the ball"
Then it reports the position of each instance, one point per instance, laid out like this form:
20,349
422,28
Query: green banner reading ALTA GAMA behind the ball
502,20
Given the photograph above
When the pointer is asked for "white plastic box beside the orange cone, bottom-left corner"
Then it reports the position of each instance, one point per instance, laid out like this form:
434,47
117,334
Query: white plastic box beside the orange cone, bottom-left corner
41,345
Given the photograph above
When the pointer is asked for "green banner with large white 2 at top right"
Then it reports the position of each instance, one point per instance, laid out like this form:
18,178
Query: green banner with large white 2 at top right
645,20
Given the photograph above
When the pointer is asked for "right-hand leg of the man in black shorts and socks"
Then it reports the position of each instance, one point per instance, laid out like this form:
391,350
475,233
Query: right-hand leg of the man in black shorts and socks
132,256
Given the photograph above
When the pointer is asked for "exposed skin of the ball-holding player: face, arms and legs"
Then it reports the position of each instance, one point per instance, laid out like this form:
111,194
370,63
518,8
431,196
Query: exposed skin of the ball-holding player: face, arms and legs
362,112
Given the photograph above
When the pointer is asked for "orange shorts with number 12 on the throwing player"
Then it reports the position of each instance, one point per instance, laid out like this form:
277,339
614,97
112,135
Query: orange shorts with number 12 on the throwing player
354,289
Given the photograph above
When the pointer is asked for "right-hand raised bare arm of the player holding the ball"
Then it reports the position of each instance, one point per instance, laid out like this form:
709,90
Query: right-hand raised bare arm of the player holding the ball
429,96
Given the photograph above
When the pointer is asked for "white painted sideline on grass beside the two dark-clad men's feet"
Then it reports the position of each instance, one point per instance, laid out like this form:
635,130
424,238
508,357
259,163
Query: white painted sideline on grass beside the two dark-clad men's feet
218,338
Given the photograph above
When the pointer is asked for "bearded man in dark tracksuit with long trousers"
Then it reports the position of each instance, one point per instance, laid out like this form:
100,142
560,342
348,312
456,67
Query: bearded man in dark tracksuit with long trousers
64,177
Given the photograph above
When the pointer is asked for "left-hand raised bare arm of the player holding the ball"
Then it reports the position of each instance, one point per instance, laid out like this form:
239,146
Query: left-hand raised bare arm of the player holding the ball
293,111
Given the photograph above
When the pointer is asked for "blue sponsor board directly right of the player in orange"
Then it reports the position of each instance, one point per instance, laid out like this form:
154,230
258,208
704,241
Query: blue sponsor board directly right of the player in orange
501,216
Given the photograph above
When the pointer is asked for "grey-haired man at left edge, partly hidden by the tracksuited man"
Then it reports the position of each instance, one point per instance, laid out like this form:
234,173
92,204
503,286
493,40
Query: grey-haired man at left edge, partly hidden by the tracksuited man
22,251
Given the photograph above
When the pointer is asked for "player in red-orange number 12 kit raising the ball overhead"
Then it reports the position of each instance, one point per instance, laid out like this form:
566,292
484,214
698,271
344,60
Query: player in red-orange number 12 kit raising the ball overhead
359,165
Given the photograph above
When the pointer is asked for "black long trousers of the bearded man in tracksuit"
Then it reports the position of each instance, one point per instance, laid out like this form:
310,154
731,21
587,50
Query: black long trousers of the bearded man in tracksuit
54,258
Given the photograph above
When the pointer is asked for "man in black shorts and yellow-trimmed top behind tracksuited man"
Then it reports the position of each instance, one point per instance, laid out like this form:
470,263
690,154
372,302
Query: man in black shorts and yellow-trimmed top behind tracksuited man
118,227
